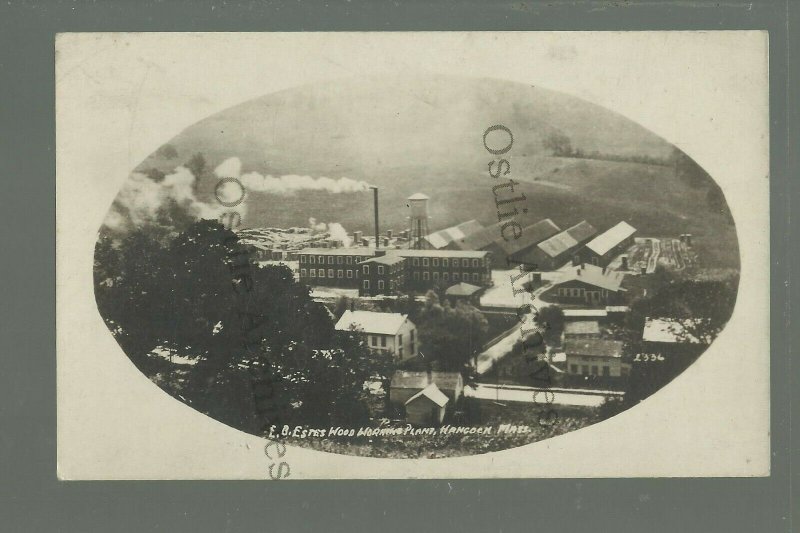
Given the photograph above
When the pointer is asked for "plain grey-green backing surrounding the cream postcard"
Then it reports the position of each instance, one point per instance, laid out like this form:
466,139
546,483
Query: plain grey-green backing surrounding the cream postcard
31,498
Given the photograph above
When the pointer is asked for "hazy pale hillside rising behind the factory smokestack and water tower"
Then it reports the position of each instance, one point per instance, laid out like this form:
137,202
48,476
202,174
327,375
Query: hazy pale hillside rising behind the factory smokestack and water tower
425,134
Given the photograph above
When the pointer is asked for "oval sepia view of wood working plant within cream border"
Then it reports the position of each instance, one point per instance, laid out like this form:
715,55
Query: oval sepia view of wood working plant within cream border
415,267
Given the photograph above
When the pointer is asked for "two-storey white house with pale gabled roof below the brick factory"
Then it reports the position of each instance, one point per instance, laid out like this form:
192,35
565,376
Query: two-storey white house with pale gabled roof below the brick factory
392,332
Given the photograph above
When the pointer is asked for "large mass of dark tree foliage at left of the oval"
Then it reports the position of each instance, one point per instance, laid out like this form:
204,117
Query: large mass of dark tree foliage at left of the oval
265,352
